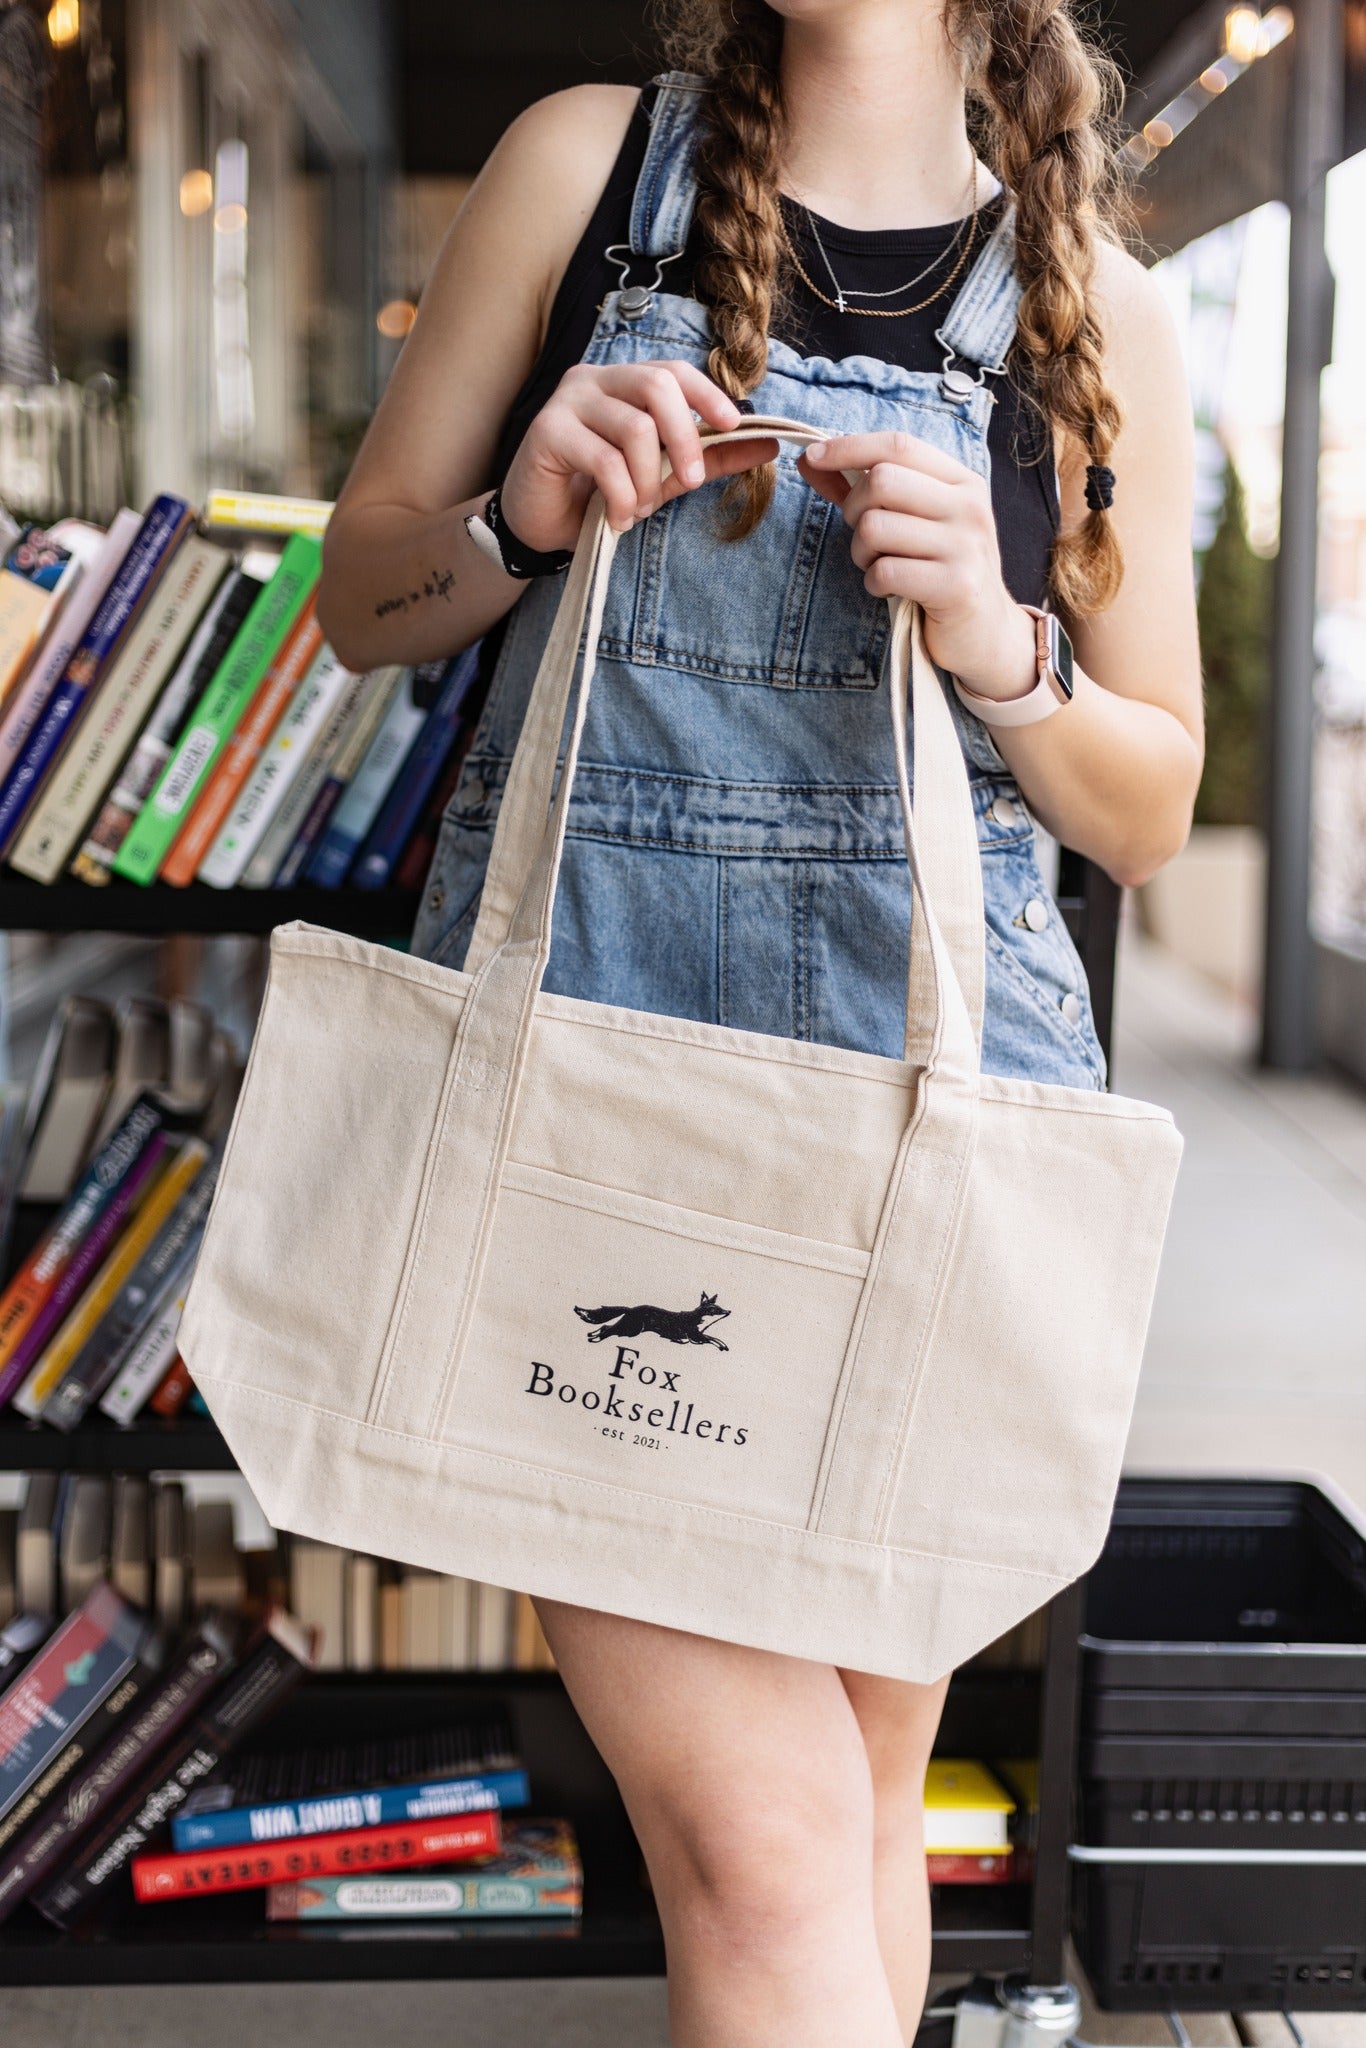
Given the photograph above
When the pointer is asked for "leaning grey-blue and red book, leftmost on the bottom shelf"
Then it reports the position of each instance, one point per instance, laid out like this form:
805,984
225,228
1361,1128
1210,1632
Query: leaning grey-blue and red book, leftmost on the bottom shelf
62,1687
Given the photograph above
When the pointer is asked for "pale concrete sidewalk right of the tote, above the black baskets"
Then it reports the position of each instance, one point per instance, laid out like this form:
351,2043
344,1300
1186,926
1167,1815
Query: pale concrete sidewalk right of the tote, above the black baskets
1258,1336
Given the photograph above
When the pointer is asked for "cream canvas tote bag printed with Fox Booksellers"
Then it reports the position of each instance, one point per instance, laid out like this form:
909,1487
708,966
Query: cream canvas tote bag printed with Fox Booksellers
767,1340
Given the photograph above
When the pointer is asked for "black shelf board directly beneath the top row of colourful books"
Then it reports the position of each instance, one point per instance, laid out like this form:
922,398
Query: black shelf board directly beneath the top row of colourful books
161,910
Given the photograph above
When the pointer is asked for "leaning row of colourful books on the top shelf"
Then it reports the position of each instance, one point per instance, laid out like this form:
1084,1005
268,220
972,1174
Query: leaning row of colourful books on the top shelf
171,716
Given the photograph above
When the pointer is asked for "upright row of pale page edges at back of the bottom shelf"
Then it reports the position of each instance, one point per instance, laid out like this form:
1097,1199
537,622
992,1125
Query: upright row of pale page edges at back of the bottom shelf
177,1558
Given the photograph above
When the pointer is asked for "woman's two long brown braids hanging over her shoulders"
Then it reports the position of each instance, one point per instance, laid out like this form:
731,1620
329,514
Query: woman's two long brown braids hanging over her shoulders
1043,99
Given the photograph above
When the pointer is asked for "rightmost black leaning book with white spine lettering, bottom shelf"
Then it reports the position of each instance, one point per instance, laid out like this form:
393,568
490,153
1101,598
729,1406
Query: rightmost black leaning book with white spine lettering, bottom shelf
257,1689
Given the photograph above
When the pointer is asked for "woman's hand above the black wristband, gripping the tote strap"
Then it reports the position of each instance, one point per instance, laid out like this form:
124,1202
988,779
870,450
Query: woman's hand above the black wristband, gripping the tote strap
609,429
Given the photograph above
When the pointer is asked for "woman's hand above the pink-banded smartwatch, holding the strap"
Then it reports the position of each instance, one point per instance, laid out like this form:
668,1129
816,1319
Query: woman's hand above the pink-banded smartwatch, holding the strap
925,529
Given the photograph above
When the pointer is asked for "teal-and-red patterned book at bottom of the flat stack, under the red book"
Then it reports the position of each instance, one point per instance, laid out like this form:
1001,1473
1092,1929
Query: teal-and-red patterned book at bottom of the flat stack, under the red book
538,1873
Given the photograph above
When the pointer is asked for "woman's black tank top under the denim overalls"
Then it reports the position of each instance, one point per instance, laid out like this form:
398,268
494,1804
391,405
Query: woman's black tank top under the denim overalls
1023,480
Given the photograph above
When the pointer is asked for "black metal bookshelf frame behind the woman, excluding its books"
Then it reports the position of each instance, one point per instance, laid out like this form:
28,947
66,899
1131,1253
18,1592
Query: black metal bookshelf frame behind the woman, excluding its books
978,1930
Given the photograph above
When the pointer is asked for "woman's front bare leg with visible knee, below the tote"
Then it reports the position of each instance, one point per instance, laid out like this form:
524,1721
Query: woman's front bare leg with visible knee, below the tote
749,1787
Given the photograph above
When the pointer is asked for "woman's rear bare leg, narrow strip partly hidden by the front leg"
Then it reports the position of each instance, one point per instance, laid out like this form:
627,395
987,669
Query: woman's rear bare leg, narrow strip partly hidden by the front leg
898,1723
